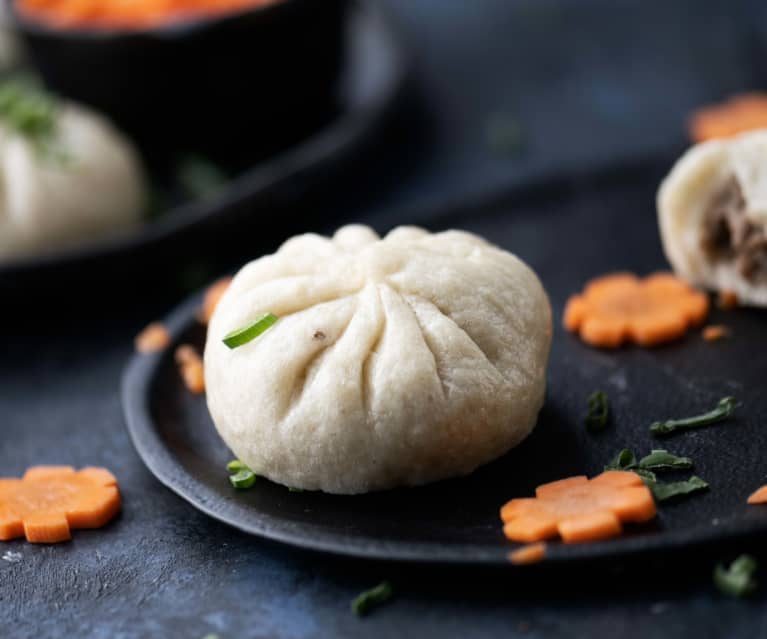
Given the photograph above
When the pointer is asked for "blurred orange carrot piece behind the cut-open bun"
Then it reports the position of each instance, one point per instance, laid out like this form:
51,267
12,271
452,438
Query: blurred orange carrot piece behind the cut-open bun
739,113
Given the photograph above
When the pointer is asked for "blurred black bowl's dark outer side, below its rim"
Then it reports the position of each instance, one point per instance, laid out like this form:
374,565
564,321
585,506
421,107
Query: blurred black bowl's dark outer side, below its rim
235,88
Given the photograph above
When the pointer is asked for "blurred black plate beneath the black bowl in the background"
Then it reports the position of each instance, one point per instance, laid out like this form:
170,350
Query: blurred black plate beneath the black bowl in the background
371,83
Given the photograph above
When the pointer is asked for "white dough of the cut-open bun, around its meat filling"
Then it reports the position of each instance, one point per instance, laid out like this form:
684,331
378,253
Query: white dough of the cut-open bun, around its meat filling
685,201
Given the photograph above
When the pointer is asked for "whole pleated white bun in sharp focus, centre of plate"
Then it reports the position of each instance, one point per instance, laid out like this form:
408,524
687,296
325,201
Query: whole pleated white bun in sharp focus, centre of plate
395,361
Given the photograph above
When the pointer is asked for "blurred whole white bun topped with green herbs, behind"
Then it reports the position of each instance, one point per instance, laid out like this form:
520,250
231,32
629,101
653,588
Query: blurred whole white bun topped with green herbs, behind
89,185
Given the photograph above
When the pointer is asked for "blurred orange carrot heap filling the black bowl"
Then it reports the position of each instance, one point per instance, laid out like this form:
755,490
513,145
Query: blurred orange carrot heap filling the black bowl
128,14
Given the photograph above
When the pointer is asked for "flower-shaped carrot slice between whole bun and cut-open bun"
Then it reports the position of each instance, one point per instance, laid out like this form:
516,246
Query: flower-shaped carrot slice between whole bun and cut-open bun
620,307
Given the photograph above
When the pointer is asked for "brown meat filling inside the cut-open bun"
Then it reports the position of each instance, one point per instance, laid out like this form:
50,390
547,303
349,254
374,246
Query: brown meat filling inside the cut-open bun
729,235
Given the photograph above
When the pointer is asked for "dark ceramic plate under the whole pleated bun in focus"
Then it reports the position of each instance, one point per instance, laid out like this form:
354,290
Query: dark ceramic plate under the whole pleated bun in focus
568,232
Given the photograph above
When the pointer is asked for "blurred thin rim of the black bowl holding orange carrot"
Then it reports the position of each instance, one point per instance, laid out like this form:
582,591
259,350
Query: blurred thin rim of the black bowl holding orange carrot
173,29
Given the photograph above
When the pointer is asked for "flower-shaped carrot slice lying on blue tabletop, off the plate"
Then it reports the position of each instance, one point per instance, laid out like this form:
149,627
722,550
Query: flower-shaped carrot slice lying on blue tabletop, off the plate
49,500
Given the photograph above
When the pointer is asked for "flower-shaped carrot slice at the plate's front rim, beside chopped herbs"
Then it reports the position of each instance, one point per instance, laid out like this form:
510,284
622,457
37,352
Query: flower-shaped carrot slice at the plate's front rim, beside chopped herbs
578,509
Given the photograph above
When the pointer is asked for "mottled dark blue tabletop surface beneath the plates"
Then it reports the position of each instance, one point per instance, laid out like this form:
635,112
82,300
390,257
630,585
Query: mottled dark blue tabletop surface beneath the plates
593,84
